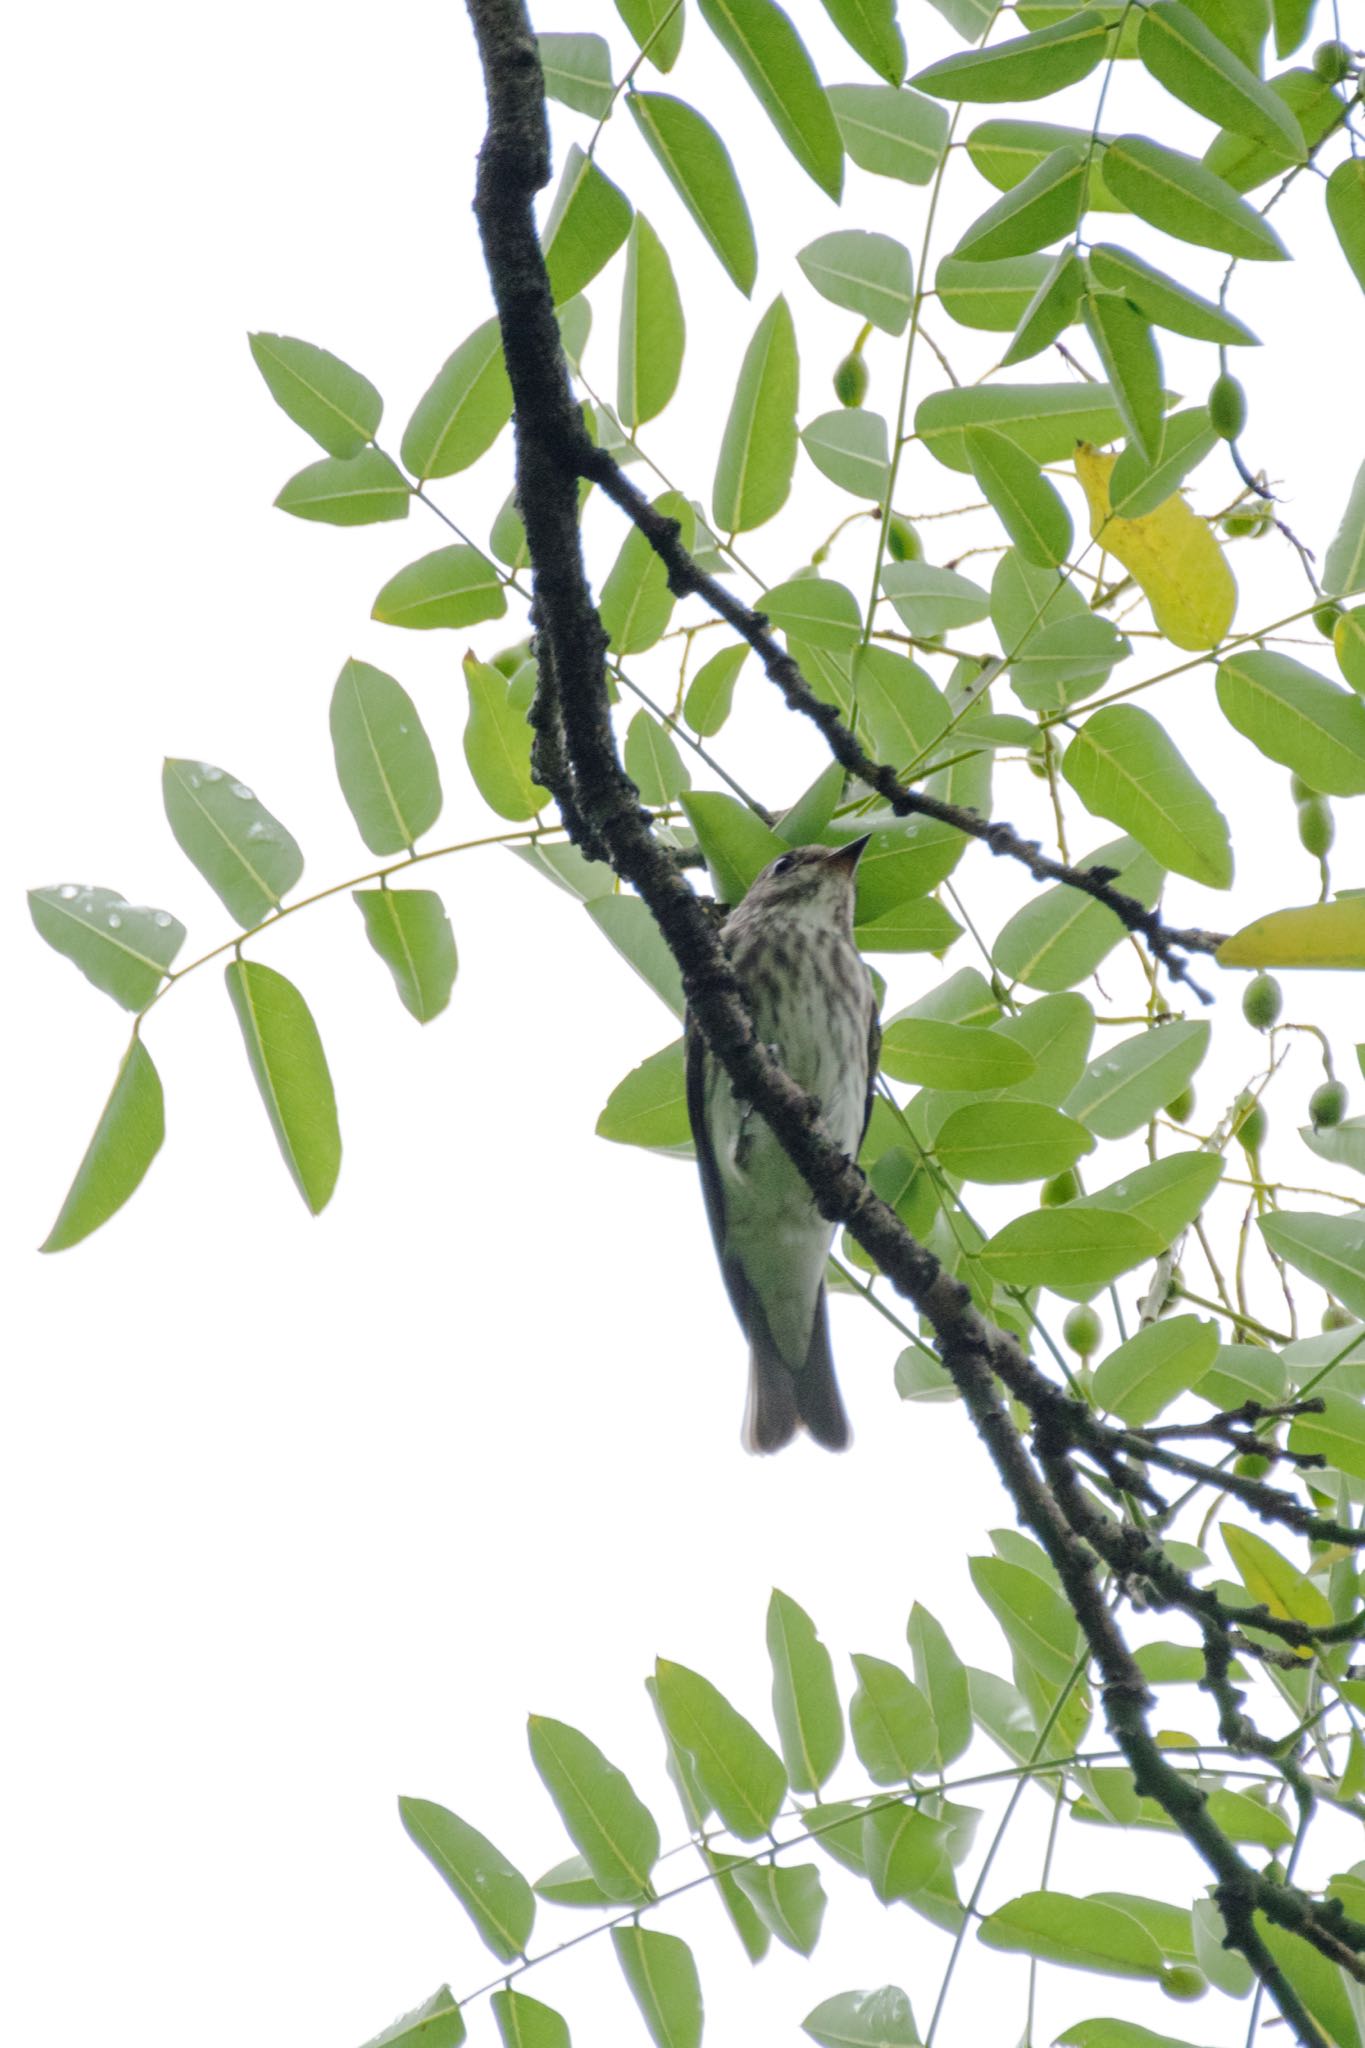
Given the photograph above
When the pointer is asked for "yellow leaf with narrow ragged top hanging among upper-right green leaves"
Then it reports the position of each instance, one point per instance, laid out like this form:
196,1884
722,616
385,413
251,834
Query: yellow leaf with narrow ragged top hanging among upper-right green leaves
1172,556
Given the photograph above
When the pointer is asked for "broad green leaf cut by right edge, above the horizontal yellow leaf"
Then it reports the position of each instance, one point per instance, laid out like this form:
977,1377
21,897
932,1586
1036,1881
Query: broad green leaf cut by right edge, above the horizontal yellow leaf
1296,718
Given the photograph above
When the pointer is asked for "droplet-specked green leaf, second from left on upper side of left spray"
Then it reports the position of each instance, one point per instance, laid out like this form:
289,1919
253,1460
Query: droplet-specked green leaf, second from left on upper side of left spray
247,857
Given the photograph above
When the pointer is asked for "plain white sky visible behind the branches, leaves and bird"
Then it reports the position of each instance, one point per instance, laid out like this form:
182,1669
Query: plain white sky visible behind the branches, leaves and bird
310,1514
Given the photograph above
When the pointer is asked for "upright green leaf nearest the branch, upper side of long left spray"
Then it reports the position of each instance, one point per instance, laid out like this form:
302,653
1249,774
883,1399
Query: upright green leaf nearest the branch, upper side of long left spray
384,759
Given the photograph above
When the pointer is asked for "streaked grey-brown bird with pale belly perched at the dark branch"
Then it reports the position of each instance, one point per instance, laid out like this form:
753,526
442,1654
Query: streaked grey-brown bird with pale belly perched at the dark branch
811,996
